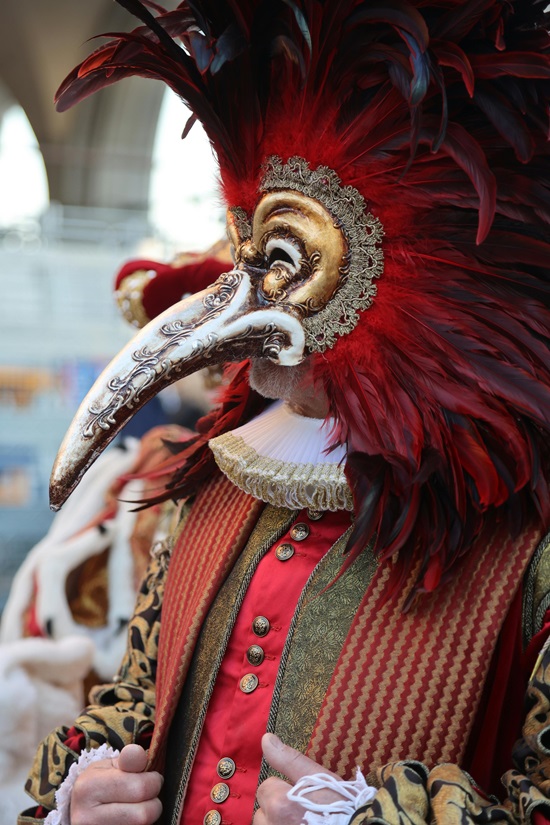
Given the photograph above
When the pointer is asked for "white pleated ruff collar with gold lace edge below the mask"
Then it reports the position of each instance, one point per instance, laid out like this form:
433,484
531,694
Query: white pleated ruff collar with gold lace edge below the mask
280,457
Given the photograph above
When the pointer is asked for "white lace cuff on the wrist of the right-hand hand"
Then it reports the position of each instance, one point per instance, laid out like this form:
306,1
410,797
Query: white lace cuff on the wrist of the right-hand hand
353,793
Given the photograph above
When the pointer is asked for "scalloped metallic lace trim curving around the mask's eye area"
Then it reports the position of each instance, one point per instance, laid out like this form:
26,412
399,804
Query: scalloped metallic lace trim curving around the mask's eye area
362,230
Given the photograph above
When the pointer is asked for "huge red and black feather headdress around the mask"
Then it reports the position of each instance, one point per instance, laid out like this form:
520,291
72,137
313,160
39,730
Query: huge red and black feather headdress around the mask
435,110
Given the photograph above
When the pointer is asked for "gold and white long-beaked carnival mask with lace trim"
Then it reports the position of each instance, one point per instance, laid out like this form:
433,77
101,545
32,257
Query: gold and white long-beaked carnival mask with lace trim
304,266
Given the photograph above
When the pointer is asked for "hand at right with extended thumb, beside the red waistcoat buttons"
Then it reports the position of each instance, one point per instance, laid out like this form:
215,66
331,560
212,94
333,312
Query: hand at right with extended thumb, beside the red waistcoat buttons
275,808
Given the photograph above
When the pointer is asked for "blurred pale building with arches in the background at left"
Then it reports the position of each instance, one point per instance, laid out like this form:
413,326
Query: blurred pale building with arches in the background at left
80,193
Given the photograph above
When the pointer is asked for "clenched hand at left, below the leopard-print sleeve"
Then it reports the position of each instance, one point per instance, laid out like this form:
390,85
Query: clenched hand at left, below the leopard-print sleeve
117,791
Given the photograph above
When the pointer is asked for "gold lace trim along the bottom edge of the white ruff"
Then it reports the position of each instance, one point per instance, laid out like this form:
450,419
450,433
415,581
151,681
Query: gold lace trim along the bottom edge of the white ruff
281,483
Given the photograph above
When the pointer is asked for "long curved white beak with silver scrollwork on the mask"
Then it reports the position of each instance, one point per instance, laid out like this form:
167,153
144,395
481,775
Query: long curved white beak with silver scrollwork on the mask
225,322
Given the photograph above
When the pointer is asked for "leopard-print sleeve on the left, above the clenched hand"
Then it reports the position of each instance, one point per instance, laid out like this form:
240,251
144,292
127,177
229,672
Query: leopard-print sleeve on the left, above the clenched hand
121,712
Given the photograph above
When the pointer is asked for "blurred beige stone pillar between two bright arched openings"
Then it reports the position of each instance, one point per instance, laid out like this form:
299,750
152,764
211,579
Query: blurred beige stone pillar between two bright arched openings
98,154
